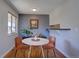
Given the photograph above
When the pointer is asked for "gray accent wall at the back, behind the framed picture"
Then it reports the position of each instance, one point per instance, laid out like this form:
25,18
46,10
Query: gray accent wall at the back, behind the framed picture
24,20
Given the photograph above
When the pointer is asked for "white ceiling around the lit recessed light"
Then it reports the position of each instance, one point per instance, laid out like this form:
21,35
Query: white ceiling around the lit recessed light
42,6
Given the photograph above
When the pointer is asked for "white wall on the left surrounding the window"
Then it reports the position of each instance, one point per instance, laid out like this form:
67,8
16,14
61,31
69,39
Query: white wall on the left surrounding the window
6,42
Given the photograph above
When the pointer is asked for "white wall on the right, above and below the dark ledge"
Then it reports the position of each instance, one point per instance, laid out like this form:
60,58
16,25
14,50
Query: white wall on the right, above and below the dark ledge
68,16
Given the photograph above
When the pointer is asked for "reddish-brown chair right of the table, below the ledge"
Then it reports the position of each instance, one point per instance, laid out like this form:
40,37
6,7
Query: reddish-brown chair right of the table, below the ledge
50,45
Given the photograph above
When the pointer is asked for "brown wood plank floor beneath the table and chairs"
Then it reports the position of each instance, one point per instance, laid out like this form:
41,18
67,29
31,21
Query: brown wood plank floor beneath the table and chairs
35,53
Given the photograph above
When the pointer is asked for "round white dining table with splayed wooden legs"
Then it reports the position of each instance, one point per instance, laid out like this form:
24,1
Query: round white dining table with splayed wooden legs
32,42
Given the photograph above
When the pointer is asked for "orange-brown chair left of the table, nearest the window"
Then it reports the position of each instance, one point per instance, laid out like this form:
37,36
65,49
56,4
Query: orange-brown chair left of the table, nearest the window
19,45
